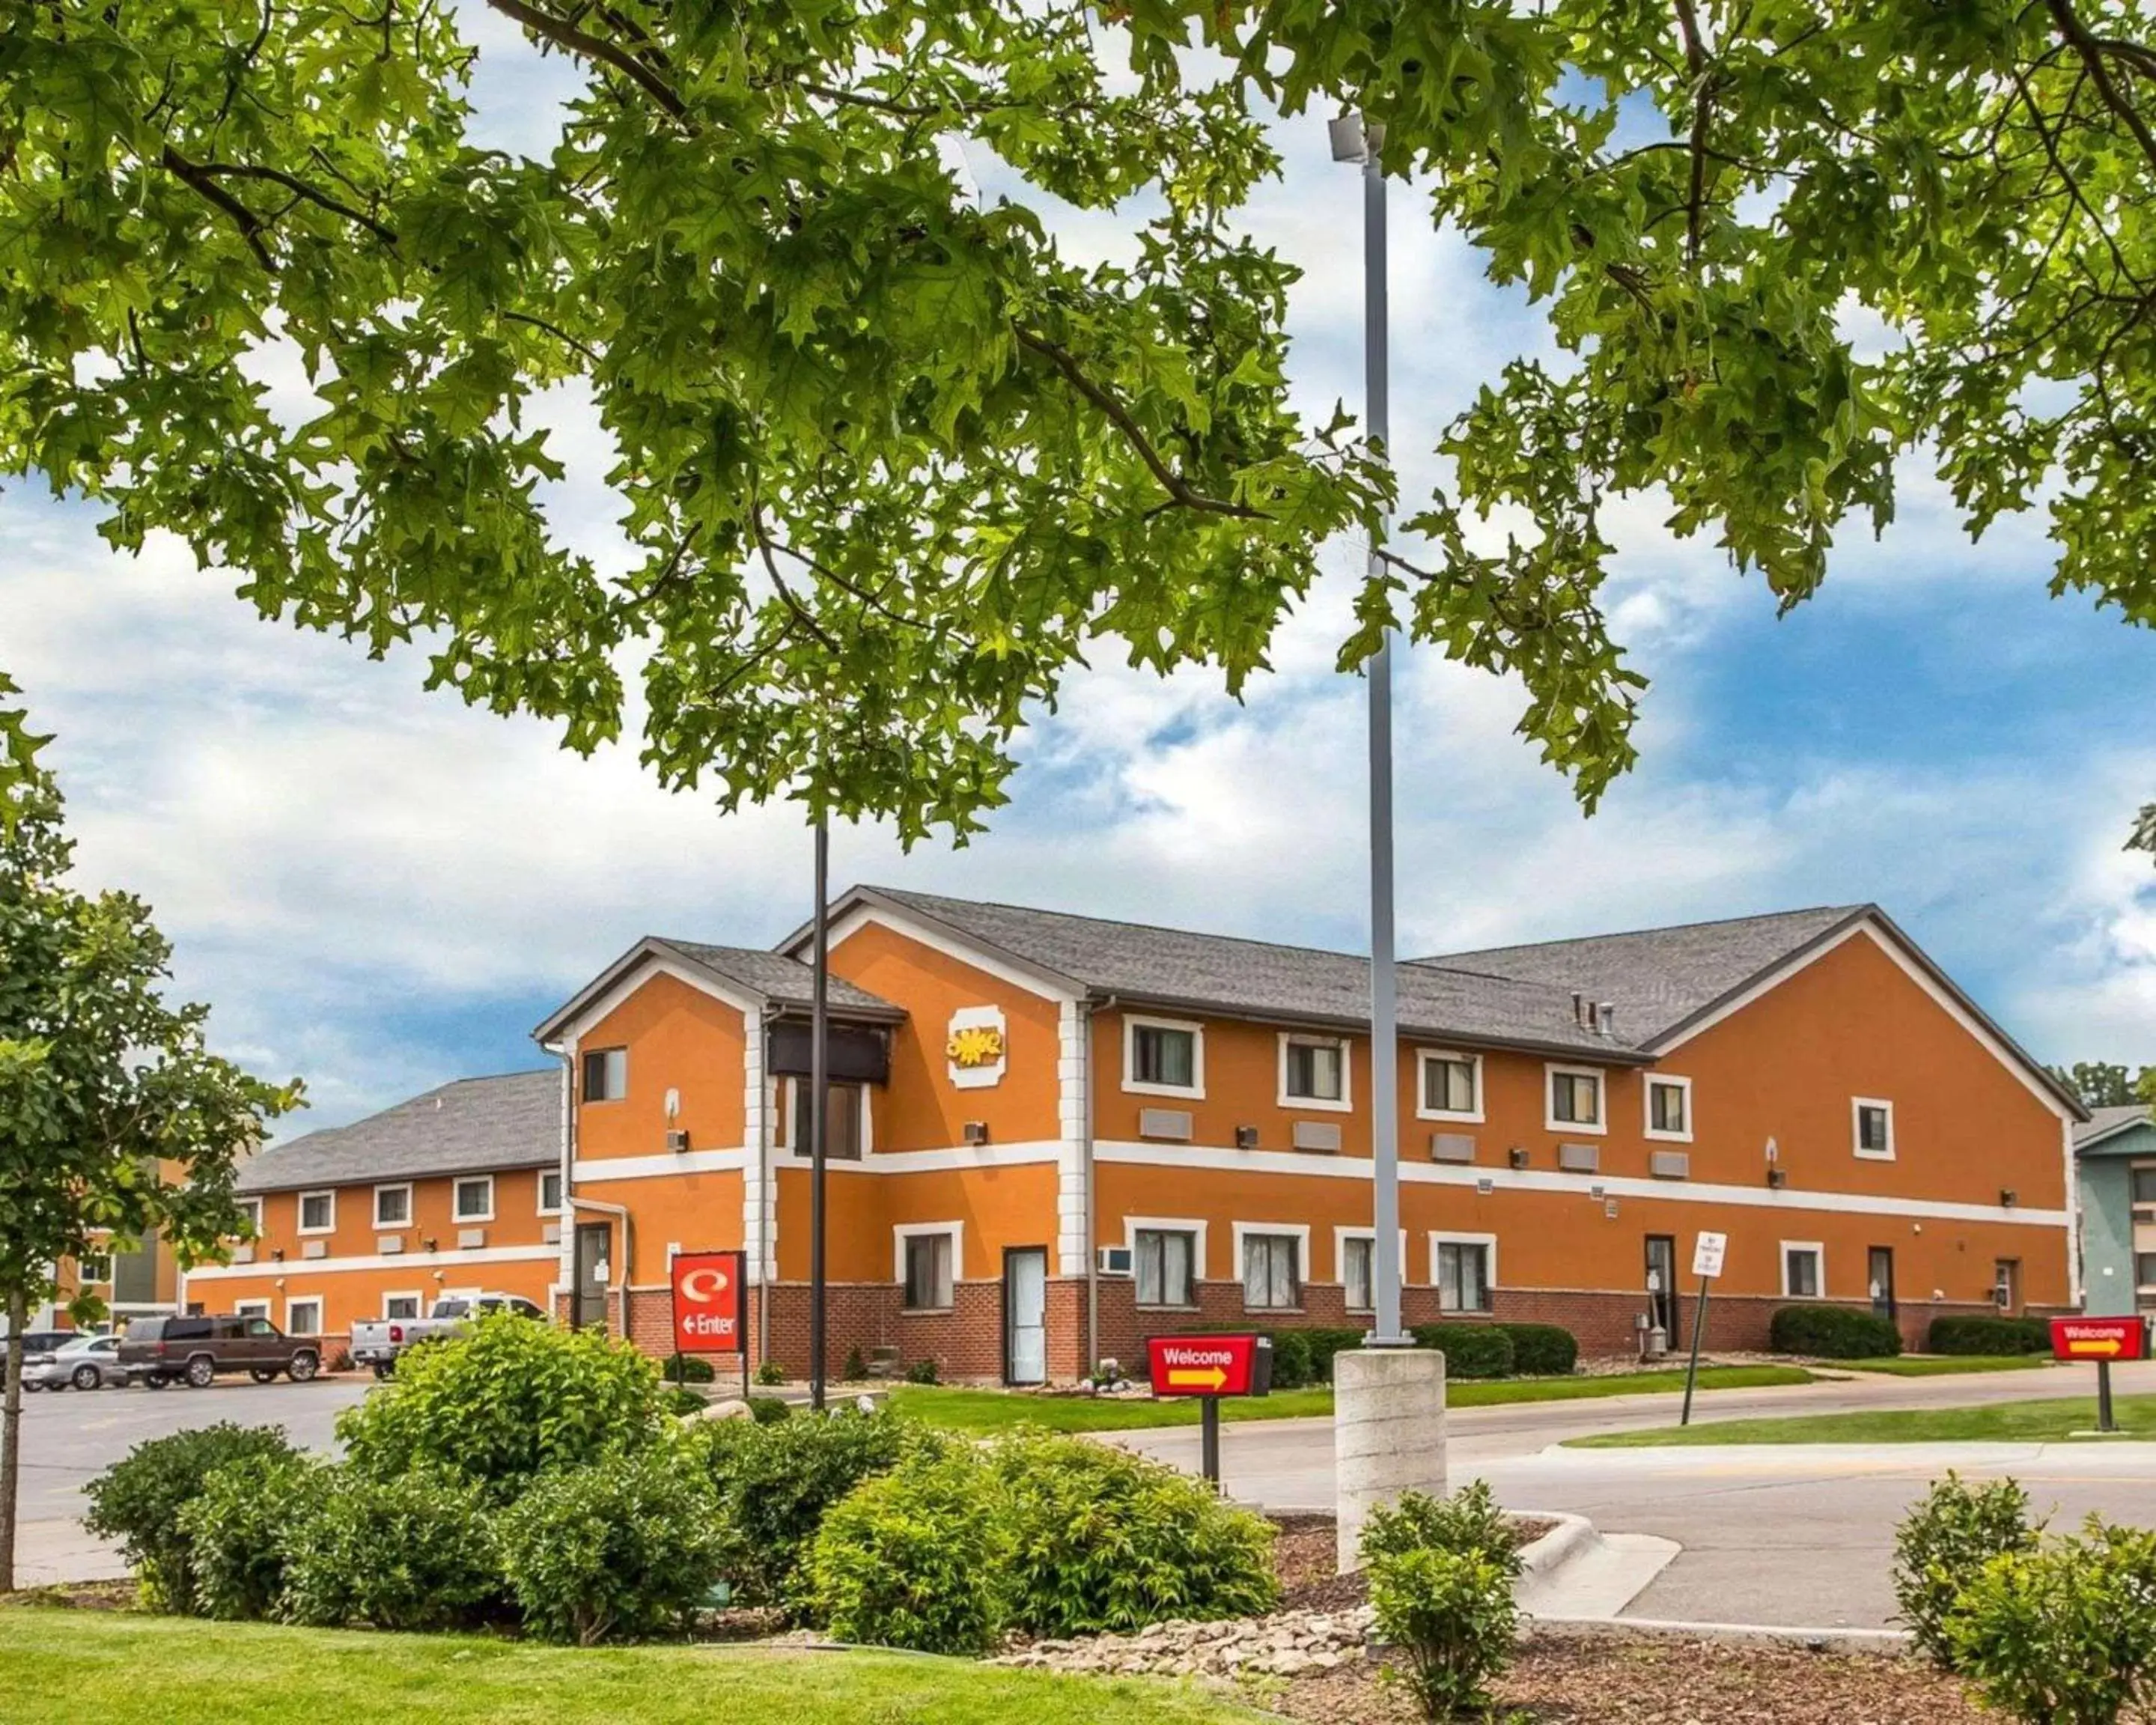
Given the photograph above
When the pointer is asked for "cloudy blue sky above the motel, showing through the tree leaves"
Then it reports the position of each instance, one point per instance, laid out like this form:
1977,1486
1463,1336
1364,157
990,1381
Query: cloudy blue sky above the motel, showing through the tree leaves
378,889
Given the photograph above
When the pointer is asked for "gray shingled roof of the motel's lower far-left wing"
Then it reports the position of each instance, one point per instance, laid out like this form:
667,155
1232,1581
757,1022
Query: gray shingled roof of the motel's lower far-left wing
469,1127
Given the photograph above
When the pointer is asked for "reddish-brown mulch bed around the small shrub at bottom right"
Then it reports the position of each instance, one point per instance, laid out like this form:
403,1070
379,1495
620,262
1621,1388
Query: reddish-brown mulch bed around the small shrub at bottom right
1663,1683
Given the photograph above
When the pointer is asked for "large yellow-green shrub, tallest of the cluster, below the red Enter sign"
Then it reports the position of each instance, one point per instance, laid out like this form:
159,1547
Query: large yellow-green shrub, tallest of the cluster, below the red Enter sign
506,1403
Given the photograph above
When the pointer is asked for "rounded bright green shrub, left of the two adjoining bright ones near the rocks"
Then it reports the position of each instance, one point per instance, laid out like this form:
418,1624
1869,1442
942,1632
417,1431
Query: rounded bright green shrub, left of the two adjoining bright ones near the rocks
915,1558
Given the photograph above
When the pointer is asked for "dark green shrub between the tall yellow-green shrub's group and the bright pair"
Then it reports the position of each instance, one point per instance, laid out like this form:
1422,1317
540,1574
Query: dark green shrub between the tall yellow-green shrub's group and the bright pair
777,1480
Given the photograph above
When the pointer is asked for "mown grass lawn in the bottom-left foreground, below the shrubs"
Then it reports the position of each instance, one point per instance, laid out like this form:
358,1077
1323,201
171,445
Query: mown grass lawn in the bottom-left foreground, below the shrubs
59,1668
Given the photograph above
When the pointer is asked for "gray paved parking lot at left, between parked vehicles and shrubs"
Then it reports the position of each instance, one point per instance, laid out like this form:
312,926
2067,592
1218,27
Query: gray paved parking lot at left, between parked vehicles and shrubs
70,1437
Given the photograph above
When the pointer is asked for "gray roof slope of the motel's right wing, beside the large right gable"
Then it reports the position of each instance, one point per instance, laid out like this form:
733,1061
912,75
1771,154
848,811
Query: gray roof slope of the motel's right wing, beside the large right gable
1659,978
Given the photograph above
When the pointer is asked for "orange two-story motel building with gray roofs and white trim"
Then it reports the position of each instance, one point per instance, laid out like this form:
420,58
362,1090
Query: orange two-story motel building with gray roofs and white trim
1055,1135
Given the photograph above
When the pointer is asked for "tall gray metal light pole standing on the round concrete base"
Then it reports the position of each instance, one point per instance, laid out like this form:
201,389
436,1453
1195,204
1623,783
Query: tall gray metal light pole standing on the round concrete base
1359,141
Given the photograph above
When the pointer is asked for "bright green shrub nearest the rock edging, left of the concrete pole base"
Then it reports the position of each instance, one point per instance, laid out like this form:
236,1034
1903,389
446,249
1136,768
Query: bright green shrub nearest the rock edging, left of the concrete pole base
1103,1541
